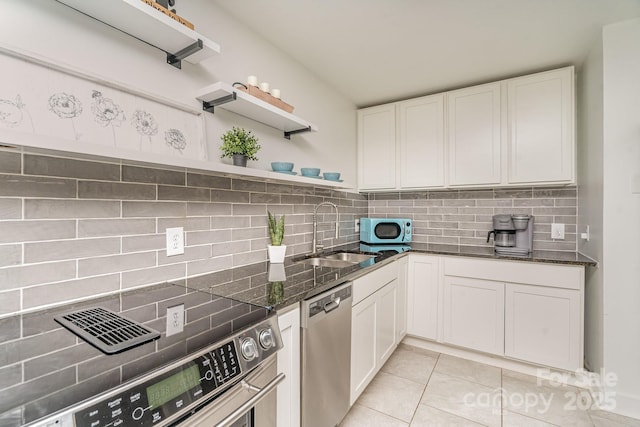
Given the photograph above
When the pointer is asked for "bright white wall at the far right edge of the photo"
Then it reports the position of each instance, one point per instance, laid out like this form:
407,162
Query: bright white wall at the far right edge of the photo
621,242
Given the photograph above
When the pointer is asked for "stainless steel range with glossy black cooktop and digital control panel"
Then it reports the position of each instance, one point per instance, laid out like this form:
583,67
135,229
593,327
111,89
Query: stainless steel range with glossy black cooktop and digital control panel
195,359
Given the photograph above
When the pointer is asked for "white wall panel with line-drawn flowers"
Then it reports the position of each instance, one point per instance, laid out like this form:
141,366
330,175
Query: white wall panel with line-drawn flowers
48,105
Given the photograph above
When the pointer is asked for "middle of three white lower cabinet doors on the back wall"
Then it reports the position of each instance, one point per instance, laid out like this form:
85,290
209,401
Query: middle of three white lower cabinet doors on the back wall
474,314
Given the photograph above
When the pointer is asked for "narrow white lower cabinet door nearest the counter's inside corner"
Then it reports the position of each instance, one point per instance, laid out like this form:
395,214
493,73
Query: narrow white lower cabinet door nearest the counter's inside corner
422,296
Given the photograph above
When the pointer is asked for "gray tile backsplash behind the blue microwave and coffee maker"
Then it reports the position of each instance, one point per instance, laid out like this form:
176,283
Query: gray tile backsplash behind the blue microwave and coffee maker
464,217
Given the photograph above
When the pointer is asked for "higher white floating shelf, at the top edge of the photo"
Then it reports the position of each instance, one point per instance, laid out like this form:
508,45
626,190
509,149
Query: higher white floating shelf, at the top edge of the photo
138,19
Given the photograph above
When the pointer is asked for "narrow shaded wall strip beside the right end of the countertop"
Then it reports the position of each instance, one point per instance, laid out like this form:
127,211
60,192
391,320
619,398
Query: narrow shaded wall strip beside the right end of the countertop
590,188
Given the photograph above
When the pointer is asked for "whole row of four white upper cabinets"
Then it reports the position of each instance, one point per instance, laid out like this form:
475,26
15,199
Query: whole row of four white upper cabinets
514,132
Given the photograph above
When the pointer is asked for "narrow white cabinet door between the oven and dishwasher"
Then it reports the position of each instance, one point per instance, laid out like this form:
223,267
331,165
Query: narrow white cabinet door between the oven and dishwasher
288,391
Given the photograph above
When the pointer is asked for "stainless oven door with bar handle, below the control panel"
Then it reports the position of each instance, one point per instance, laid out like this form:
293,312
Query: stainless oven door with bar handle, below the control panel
251,402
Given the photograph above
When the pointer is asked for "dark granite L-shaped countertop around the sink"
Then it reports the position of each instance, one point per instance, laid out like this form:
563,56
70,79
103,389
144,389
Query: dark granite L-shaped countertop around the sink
281,285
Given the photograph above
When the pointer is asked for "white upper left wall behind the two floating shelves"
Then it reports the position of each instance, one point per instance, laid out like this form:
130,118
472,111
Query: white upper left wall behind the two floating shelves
50,29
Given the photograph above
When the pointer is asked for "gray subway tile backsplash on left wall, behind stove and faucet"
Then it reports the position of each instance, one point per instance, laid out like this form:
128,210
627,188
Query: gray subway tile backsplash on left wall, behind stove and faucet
73,226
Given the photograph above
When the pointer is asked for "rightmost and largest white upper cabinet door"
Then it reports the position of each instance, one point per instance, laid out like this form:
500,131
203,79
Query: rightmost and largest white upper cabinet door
541,128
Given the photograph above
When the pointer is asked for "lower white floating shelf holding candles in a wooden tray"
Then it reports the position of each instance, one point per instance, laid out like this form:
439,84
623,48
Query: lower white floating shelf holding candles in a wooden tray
225,96
